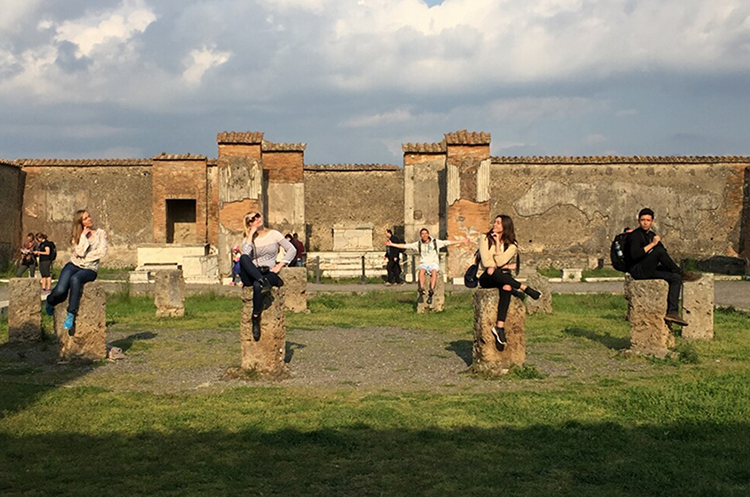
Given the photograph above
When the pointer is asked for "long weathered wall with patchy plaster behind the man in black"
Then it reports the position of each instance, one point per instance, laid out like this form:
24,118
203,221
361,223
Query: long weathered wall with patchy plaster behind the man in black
569,209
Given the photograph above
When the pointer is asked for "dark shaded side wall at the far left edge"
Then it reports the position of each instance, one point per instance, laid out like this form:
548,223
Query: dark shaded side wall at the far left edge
11,190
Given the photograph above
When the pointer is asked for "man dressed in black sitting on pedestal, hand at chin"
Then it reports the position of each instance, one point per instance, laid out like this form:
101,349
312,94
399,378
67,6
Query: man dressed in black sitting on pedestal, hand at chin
648,259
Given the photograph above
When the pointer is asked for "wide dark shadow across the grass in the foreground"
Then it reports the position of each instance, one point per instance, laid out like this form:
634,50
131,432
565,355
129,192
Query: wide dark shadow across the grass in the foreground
570,459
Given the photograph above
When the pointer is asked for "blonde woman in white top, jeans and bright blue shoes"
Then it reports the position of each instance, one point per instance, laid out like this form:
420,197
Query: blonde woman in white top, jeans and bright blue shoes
89,245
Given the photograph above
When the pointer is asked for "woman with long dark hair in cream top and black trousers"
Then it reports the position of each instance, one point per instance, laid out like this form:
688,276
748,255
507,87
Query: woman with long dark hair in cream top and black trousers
498,251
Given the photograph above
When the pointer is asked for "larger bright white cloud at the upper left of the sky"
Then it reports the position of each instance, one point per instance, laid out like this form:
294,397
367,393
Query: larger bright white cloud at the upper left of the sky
131,17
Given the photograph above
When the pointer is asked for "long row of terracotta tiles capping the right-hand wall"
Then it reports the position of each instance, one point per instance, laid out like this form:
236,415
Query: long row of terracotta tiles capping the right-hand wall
636,159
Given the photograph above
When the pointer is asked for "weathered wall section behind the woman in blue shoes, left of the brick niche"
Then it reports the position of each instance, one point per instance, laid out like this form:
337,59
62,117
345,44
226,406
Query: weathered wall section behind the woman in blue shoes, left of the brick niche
117,193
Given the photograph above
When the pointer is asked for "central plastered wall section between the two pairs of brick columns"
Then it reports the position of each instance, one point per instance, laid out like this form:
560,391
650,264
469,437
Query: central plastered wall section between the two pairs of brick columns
352,195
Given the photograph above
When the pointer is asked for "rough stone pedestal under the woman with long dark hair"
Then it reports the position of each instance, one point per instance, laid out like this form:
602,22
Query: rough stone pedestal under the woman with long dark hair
487,358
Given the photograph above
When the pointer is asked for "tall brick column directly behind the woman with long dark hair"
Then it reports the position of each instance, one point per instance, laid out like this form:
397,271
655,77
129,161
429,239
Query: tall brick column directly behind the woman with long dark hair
467,194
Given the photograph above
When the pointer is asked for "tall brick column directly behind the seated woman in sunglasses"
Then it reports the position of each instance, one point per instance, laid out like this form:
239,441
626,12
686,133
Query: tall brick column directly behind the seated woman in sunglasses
240,188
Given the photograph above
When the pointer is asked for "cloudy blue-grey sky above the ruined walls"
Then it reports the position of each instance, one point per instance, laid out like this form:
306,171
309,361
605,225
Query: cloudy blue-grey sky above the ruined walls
354,79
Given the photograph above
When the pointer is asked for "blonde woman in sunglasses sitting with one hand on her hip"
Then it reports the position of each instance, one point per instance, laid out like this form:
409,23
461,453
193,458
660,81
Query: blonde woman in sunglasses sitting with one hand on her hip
258,266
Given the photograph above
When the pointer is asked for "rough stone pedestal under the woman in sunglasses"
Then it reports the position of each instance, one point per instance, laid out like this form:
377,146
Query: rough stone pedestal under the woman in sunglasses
266,355
